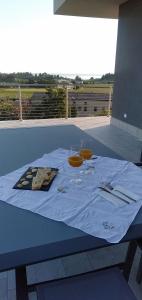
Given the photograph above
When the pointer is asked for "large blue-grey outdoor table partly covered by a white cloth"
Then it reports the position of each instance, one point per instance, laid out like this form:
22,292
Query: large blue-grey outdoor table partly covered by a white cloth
27,238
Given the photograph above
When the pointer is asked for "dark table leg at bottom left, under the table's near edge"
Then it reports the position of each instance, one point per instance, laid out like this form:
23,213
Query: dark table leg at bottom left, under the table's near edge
21,284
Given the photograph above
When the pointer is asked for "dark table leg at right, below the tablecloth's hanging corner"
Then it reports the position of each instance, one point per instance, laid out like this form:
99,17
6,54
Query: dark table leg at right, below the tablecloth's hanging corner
129,259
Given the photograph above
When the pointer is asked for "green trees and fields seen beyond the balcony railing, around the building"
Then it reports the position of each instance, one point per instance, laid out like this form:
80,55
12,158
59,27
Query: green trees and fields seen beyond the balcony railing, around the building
53,104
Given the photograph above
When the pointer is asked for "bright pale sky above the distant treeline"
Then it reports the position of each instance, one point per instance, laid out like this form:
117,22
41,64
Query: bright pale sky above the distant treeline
35,40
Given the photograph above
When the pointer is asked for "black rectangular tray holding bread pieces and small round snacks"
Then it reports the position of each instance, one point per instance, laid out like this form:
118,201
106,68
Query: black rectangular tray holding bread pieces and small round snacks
54,172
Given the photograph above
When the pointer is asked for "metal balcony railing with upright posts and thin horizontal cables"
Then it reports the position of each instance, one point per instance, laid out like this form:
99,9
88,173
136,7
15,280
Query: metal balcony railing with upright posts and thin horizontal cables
54,101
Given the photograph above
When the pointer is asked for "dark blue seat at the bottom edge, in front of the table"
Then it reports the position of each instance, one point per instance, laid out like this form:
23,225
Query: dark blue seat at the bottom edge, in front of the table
107,284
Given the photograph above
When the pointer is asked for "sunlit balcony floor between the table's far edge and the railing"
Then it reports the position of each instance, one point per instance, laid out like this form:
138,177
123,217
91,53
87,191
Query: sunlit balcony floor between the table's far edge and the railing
119,141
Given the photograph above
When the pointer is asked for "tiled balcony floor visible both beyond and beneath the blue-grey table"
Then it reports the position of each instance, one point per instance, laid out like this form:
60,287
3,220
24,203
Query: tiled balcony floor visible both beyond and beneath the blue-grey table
126,146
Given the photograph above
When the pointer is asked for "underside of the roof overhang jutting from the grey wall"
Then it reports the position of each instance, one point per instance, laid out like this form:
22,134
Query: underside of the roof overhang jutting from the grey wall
88,8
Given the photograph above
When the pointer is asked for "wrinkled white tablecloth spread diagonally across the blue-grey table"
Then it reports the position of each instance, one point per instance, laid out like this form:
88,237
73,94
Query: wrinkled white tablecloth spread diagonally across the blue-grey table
81,206
